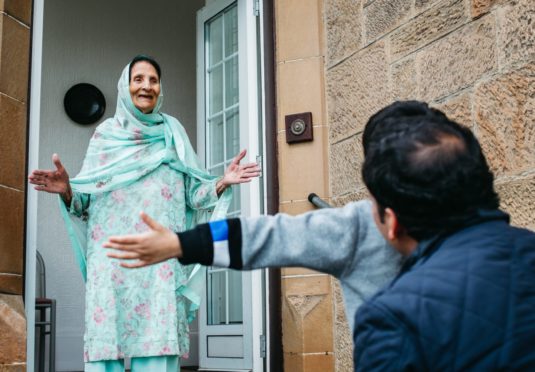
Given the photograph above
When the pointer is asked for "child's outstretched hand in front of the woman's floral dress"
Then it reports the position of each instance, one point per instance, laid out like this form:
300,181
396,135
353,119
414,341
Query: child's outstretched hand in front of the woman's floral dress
156,245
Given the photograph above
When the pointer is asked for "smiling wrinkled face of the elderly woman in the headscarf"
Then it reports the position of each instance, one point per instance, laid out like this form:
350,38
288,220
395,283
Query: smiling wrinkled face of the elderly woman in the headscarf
144,86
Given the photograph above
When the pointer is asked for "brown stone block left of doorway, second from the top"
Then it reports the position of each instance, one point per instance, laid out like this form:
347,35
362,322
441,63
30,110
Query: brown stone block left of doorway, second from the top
15,57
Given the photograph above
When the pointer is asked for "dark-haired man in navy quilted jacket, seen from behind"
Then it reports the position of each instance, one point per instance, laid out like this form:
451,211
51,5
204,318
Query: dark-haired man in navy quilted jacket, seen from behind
465,297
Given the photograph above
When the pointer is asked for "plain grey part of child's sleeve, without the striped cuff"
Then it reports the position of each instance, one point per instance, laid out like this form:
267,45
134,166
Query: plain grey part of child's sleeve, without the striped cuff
325,240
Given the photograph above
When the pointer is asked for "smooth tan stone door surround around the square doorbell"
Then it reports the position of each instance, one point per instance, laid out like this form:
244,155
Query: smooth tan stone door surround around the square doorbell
308,313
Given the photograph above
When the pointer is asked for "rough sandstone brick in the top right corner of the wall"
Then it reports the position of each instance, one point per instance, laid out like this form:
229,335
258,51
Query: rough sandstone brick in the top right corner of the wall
516,34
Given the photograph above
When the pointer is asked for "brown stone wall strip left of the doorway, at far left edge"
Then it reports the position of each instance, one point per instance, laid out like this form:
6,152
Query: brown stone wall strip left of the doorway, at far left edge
15,17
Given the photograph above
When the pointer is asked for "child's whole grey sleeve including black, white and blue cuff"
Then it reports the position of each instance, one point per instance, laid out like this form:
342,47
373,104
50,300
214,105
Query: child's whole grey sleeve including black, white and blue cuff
325,240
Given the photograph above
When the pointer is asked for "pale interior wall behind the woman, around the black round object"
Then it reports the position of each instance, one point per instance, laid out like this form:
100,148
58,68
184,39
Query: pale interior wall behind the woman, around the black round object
91,41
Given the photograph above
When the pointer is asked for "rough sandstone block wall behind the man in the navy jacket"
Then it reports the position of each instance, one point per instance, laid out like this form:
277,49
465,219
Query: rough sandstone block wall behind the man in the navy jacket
474,59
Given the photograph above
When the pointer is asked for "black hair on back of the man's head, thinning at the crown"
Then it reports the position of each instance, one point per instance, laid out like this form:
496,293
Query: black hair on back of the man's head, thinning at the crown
428,169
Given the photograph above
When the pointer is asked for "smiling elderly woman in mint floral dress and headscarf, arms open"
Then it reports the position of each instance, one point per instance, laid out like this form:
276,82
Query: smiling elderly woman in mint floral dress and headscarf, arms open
141,159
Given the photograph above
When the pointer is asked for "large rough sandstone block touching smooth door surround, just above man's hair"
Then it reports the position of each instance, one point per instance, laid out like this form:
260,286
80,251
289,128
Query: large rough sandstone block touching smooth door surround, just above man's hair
356,89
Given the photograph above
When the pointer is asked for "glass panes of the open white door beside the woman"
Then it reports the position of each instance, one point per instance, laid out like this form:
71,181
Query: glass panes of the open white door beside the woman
224,288
